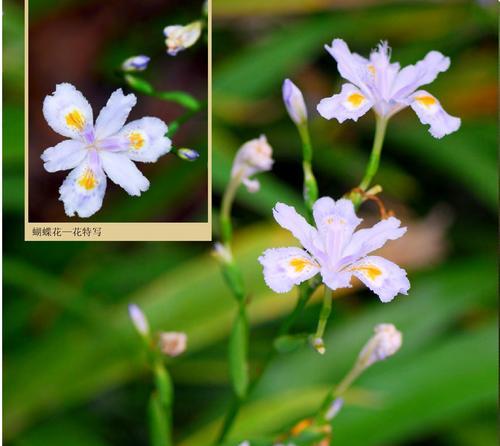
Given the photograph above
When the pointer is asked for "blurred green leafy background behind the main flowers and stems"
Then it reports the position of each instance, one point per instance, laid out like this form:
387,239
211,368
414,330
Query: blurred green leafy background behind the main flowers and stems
74,371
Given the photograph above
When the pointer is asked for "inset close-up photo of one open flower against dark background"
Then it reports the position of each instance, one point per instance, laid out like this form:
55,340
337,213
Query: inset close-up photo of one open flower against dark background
117,123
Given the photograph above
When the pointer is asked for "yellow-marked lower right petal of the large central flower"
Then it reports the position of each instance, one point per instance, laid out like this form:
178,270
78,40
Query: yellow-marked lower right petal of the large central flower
383,277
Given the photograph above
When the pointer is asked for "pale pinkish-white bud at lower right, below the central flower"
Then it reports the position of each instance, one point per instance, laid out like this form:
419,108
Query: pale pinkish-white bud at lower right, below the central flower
385,342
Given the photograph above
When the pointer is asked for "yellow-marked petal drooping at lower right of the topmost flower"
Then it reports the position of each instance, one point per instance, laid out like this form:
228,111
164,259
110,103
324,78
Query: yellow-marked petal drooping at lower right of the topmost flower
429,111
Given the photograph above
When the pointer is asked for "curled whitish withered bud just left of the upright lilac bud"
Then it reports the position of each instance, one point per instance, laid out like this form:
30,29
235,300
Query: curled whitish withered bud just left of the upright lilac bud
253,157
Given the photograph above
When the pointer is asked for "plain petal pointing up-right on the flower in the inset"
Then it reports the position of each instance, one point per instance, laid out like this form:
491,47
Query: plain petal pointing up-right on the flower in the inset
114,114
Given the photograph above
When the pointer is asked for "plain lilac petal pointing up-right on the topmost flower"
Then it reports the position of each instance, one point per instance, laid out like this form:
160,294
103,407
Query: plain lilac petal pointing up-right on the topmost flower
423,72
